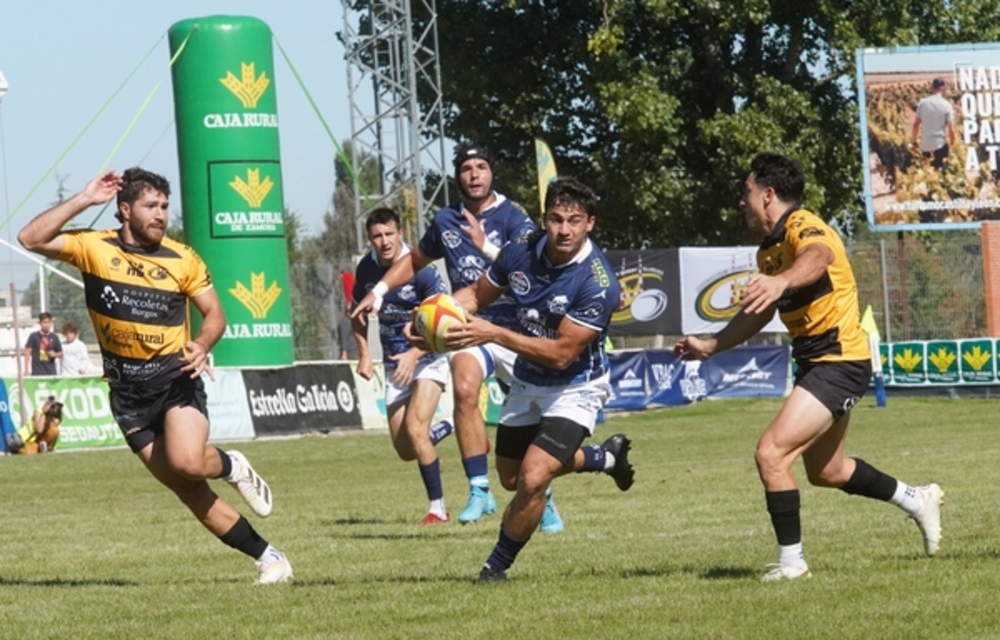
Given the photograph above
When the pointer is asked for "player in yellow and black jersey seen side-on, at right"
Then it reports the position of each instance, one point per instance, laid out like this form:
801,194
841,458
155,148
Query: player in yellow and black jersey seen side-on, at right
805,276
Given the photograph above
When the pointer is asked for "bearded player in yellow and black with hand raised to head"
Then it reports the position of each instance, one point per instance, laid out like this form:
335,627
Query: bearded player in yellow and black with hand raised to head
138,283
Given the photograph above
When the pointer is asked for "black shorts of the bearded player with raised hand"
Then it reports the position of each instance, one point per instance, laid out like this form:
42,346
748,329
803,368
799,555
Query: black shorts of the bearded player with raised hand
141,417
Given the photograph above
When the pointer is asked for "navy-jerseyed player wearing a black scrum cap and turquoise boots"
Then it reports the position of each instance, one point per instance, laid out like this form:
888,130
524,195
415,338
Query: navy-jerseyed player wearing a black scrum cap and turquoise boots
468,235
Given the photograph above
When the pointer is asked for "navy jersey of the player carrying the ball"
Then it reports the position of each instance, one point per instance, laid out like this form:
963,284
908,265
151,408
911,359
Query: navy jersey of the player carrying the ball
584,290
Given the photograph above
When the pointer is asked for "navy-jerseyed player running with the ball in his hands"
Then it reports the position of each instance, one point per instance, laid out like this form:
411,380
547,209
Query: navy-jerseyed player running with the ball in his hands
565,291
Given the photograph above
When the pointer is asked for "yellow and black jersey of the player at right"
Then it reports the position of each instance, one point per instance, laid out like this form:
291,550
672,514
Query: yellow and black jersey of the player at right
823,318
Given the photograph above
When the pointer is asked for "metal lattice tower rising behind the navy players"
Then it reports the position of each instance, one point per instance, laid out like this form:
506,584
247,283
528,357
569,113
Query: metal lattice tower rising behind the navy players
389,66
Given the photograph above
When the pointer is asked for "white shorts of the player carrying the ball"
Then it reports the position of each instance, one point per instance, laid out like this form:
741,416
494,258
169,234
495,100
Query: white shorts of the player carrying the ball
527,404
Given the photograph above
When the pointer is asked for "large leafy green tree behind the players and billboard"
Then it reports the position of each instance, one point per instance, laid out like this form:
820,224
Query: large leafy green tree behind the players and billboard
660,105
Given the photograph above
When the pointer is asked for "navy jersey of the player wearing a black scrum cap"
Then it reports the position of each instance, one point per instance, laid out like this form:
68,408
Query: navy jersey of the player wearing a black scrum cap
502,222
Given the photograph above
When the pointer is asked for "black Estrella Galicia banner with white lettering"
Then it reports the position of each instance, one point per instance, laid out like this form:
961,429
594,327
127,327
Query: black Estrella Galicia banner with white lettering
302,398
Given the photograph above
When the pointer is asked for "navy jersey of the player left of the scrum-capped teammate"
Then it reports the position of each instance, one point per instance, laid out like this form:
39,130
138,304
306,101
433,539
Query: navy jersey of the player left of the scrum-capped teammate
397,305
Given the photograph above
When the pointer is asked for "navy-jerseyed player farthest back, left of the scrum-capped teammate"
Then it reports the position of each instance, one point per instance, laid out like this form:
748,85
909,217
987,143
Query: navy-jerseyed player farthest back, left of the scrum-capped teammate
414,377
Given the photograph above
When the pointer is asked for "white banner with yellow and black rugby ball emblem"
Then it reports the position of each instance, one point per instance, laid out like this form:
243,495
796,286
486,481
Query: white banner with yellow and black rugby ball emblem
712,282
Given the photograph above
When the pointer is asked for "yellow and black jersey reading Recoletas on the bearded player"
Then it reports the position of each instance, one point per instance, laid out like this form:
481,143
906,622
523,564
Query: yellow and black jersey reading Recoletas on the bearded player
137,300
